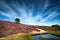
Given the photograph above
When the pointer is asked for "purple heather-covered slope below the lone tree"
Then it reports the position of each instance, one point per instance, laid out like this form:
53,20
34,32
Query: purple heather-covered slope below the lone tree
7,28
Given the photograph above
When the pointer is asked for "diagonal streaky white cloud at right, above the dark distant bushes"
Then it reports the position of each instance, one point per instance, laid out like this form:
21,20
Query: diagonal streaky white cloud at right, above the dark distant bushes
51,14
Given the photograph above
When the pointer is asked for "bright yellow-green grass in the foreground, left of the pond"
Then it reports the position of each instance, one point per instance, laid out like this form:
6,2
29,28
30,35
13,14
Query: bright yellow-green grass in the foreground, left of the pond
19,36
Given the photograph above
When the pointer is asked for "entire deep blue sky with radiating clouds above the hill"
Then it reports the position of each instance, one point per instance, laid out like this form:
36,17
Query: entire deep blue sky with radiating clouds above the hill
31,12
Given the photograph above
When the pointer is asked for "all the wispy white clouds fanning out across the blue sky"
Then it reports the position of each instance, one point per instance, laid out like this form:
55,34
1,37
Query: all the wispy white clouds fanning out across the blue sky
25,13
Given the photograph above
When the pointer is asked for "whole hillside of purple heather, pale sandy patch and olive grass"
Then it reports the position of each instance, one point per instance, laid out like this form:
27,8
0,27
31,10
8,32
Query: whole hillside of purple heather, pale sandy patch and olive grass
7,28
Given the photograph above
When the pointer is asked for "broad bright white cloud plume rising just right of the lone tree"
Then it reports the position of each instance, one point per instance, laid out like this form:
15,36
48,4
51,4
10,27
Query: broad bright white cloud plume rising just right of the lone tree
26,17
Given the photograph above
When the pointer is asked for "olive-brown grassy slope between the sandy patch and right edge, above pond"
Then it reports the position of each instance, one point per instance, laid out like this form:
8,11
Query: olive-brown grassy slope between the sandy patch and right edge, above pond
51,30
